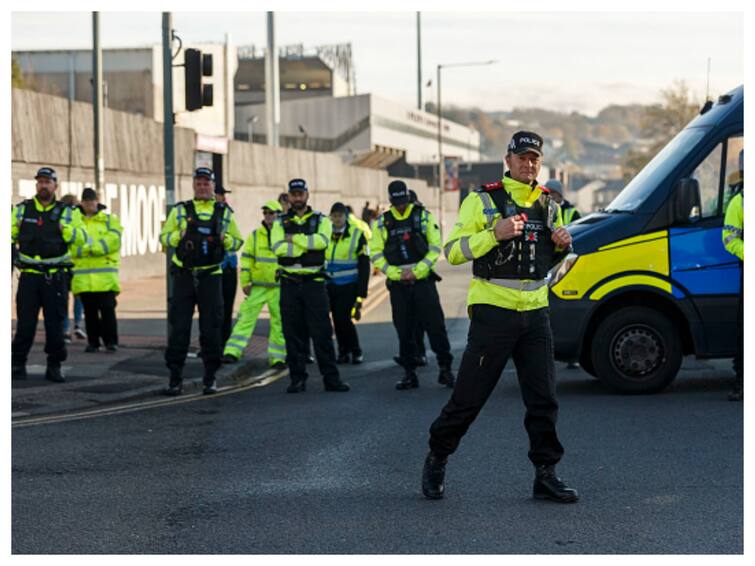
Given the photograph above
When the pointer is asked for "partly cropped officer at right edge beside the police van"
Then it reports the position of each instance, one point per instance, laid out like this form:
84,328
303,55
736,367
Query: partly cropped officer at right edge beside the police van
733,237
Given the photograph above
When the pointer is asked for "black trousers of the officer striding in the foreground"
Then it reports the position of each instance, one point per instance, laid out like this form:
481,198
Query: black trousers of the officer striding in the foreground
495,334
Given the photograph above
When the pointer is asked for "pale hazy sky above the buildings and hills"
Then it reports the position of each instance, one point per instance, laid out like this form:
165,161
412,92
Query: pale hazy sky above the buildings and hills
563,61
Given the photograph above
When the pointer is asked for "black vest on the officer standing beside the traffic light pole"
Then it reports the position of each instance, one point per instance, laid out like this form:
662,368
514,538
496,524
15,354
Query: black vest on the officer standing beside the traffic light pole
202,245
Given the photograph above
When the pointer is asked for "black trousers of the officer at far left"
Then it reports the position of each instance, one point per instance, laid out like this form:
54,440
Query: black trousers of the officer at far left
49,293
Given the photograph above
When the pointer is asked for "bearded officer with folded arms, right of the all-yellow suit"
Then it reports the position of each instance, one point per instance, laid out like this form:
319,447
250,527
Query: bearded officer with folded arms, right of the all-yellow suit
299,239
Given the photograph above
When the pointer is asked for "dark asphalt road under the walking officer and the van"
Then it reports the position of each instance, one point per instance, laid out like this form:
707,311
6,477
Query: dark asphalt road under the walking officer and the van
266,472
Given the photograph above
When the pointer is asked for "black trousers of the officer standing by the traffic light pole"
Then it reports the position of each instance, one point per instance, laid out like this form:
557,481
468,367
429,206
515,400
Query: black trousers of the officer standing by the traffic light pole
202,290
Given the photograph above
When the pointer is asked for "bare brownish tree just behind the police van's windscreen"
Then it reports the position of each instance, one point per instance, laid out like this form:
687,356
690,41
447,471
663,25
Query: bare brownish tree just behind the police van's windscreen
660,123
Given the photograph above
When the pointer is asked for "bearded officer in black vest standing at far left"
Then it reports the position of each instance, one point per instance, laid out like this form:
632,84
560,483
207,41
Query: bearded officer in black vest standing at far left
43,230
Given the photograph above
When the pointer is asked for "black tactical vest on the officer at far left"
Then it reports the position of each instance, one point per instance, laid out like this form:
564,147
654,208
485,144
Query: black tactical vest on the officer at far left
40,234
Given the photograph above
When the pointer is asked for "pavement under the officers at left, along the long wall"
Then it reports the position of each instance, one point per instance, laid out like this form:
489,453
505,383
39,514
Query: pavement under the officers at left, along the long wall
137,370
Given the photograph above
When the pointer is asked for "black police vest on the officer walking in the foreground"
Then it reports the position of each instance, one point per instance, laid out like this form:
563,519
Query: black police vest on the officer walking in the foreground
531,255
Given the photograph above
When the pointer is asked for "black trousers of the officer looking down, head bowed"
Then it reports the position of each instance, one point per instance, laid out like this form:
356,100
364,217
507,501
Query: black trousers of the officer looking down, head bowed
415,302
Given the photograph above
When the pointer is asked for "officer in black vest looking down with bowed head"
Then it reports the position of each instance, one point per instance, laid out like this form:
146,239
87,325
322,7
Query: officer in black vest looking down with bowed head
405,246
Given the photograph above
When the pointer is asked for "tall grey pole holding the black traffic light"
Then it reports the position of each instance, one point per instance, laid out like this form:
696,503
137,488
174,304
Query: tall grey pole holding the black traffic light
168,147
